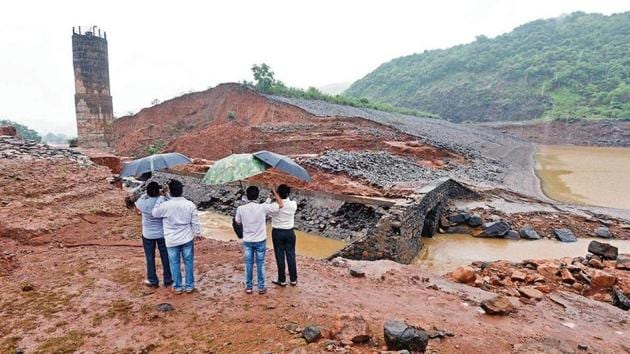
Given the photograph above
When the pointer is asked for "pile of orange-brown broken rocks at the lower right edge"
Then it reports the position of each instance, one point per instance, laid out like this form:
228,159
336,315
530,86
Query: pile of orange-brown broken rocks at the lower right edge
603,275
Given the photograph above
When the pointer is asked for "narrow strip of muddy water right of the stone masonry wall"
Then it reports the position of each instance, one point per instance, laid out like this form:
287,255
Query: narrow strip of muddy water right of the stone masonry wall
445,252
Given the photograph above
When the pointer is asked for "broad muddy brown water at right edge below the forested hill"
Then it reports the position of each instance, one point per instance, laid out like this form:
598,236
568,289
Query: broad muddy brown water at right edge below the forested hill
585,175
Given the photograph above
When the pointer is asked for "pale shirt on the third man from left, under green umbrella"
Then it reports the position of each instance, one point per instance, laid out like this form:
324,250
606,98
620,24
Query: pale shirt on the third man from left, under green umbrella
253,217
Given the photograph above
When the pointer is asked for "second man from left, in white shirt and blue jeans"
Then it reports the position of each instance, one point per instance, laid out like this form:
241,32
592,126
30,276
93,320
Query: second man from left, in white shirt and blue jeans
181,226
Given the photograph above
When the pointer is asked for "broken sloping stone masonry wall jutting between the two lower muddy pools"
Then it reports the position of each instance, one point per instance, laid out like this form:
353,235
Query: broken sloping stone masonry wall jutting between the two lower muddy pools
398,234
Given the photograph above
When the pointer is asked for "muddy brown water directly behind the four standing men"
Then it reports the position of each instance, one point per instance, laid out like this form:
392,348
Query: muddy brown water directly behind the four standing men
219,227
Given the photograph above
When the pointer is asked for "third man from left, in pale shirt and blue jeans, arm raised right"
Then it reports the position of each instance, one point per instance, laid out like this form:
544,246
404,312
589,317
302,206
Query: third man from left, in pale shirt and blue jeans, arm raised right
253,217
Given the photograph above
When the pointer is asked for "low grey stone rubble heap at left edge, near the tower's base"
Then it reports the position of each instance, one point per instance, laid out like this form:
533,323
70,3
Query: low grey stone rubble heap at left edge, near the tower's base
12,147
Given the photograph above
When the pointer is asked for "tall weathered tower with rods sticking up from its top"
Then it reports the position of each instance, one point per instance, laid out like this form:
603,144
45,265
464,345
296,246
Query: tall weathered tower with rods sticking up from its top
92,99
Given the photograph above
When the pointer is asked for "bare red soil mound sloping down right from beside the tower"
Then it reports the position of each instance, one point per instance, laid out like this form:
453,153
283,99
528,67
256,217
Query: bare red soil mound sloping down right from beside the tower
231,118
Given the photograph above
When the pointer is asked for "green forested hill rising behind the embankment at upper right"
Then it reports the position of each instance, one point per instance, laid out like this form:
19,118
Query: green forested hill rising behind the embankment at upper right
575,66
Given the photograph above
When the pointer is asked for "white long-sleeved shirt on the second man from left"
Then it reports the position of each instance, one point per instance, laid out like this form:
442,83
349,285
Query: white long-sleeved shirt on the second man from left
180,220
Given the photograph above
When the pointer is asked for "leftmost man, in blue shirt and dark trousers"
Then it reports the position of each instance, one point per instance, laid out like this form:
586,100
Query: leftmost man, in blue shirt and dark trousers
153,235
